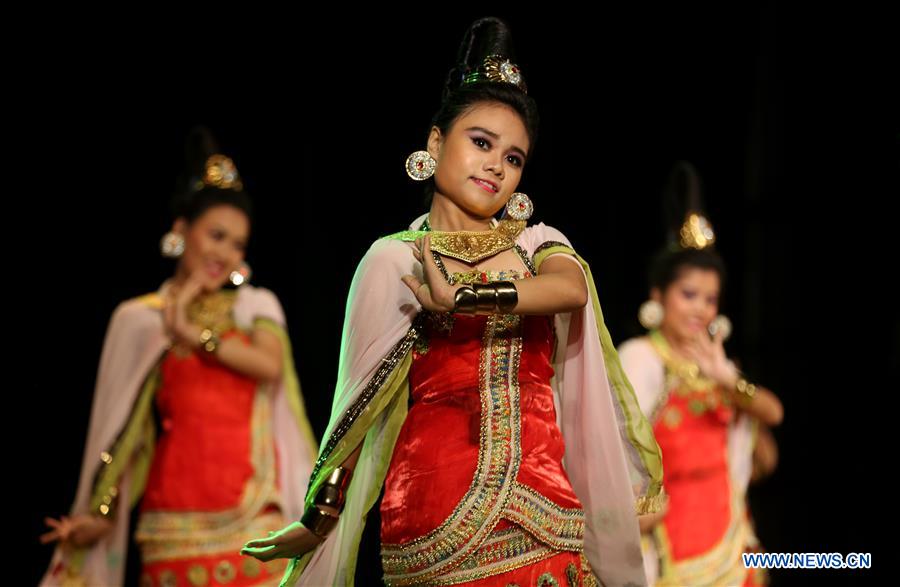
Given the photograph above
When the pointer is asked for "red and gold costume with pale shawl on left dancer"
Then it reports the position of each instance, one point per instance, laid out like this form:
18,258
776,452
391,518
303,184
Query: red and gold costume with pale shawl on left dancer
211,457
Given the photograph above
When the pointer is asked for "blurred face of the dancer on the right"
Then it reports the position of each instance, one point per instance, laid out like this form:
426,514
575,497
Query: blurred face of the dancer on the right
690,303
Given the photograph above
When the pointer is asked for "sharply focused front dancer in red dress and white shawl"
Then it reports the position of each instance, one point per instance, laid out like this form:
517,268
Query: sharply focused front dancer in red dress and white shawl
494,330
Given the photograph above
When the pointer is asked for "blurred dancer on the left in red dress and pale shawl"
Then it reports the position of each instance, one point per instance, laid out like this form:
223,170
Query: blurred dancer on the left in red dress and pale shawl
233,449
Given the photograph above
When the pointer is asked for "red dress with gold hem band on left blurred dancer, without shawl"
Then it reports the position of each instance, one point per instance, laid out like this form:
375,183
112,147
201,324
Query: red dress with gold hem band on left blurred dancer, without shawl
211,486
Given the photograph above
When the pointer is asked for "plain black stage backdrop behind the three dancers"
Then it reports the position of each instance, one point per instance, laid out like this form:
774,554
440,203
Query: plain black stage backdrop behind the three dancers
788,118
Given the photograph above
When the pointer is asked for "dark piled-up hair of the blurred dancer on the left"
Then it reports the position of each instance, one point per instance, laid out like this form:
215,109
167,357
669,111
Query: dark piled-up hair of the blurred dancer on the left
192,197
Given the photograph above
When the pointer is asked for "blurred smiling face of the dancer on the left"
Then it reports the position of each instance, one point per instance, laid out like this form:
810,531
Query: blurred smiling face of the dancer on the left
214,245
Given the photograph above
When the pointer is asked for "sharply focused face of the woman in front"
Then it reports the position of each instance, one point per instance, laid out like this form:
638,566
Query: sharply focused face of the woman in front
480,159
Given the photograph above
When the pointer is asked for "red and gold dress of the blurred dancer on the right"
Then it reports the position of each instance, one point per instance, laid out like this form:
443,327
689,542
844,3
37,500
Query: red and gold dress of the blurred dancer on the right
706,527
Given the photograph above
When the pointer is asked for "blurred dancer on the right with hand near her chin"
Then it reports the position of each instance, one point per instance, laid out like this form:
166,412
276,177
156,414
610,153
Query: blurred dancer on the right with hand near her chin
705,413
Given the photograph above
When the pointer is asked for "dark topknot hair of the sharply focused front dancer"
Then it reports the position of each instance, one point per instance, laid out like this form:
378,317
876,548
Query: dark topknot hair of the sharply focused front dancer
484,37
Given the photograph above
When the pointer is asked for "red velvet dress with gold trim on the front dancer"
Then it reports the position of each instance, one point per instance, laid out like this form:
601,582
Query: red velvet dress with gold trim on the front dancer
476,492
